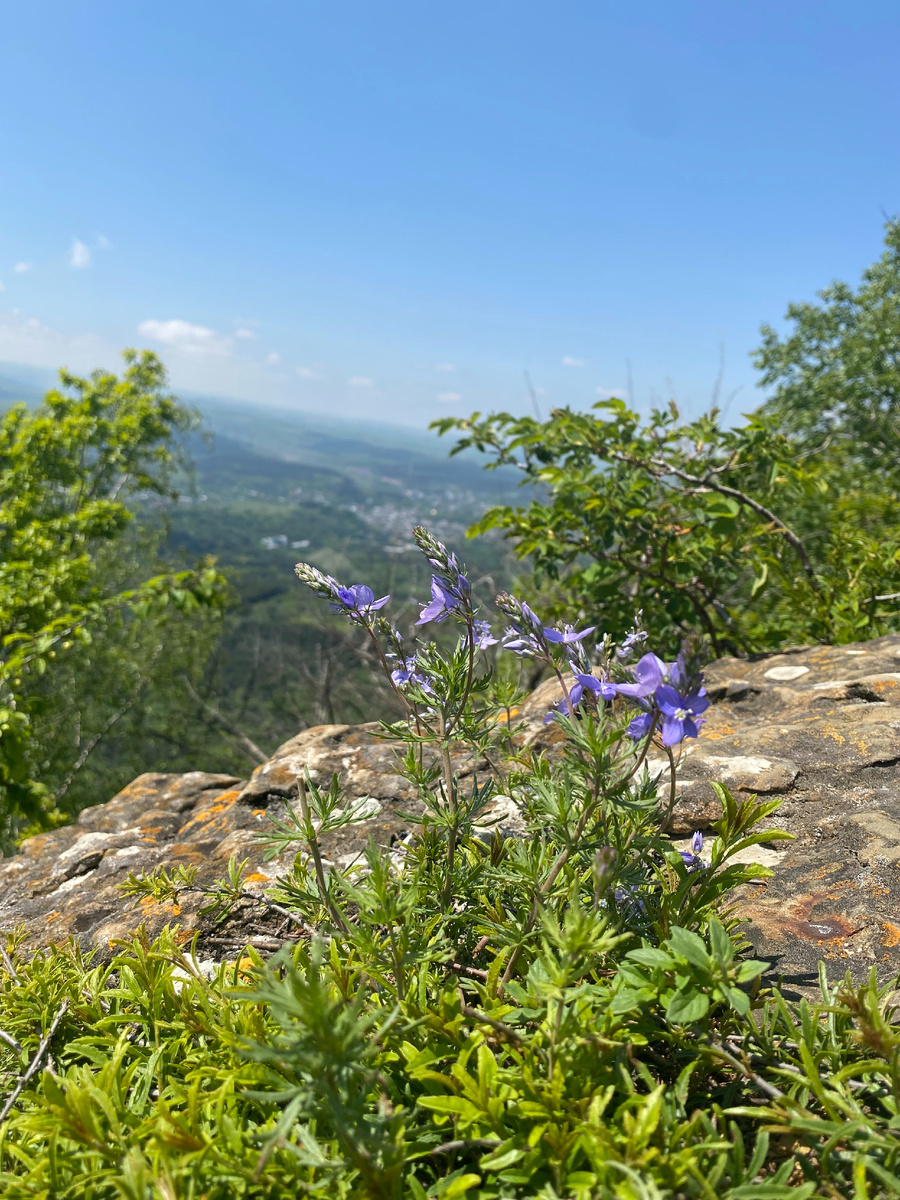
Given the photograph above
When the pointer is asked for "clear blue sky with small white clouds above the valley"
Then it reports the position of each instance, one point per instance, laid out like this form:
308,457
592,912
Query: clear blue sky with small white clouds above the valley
394,209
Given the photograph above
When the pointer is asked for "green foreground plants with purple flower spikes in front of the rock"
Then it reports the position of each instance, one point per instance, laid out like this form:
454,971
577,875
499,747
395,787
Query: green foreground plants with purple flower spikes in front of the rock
567,1012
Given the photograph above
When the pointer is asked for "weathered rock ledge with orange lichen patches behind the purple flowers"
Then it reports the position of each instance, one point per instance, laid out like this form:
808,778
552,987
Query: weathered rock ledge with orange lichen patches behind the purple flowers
820,728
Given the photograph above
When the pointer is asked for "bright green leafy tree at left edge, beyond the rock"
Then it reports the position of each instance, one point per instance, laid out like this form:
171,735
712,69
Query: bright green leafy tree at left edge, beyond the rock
73,569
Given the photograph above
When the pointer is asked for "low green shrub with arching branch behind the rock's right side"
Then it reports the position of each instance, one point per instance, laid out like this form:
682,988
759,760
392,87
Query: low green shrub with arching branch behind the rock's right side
699,526
